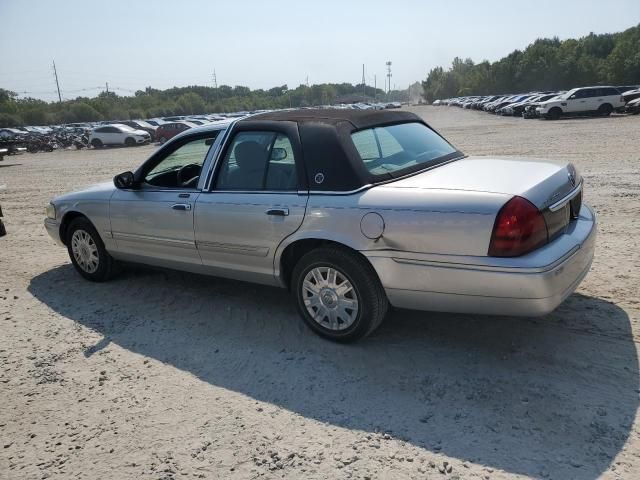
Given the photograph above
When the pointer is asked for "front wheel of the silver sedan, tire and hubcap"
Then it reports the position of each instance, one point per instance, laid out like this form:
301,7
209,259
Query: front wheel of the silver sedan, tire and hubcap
87,251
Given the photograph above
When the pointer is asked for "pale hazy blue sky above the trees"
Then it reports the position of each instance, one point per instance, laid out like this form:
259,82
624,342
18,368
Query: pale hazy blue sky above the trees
260,44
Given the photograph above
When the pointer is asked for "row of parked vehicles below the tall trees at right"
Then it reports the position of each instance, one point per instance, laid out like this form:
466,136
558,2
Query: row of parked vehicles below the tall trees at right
597,100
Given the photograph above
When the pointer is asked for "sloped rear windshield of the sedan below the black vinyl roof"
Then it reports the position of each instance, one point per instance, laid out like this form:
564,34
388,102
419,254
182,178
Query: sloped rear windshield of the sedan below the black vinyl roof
388,149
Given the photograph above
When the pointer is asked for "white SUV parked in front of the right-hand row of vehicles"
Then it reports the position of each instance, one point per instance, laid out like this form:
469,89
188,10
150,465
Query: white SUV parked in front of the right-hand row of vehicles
582,101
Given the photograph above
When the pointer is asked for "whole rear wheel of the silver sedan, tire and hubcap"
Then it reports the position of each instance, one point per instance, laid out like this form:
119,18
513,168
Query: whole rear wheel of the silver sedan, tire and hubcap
338,294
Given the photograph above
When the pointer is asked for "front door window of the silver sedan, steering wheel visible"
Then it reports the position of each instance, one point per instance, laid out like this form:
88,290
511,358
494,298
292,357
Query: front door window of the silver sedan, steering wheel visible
181,168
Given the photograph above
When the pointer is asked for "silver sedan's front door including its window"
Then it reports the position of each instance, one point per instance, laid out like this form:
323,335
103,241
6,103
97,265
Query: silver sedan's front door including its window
154,222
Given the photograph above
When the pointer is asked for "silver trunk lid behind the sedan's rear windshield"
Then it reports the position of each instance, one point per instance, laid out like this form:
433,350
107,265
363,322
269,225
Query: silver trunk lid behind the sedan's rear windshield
540,181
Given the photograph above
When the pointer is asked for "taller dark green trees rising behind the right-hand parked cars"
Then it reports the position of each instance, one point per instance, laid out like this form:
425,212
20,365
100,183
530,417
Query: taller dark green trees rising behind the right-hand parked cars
546,64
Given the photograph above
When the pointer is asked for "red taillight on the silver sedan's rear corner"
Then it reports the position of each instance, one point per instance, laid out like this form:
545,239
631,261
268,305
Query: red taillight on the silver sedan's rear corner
519,229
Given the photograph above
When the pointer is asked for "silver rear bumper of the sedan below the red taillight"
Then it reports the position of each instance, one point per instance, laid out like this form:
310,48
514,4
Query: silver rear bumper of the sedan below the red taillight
531,285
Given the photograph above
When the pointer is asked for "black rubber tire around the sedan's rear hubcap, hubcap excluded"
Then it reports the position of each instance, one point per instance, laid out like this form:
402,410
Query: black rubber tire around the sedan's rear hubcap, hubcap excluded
371,298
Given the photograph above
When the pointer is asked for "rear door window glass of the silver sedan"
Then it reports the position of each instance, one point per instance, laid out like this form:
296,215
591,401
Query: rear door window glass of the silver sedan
258,161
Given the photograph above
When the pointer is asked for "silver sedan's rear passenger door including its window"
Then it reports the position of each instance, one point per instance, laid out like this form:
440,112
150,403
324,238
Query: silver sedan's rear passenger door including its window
256,199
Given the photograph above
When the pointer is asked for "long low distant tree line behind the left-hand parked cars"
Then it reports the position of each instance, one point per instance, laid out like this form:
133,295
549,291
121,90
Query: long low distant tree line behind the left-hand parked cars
192,100
